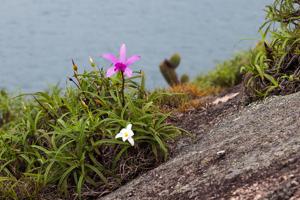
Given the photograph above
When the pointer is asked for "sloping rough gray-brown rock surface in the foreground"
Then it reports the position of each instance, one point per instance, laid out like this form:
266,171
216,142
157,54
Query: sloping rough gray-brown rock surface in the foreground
252,154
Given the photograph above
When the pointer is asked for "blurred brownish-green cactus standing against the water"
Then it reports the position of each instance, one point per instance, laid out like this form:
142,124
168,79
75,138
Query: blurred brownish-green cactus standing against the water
168,69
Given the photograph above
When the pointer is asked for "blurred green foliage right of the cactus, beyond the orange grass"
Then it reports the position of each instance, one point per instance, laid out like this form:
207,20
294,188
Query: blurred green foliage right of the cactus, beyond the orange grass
226,74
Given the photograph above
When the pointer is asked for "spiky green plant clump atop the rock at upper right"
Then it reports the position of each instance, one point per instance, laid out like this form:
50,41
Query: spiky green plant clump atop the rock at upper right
275,69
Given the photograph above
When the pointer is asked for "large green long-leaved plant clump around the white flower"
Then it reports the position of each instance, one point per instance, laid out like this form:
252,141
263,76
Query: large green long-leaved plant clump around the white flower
66,139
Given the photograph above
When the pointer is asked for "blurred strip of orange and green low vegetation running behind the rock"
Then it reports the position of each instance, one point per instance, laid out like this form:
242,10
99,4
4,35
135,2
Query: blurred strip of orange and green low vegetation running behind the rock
183,96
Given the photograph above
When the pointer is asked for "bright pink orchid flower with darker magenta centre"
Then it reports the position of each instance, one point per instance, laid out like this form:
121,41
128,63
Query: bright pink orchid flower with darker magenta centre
122,64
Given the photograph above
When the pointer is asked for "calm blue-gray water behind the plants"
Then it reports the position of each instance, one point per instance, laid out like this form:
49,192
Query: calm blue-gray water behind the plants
38,38
